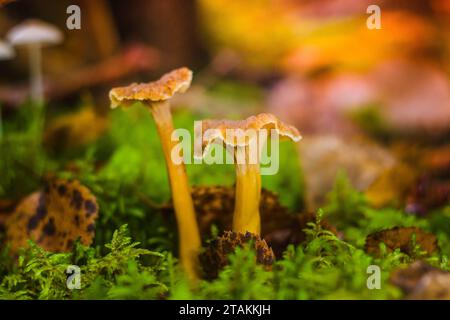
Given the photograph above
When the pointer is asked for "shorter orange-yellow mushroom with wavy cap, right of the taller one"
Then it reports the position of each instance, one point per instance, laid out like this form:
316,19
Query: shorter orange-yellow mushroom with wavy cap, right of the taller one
247,152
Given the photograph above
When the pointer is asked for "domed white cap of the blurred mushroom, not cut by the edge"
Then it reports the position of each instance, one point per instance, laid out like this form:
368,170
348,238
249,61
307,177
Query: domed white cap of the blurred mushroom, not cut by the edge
34,32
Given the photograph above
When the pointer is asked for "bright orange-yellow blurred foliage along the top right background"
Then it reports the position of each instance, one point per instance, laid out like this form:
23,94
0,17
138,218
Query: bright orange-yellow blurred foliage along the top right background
298,36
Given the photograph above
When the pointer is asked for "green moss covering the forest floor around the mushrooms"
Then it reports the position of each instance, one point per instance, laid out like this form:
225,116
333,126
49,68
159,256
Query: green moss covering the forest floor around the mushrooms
125,169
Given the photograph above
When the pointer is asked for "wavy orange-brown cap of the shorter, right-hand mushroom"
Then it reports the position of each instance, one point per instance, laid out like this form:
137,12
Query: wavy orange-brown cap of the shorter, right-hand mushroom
216,130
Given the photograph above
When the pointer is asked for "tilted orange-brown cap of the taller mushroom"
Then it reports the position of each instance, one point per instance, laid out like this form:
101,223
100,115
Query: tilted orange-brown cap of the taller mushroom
163,89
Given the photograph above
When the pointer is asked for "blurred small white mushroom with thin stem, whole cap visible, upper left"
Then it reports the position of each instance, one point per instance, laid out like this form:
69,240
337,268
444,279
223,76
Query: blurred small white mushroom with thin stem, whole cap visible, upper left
35,34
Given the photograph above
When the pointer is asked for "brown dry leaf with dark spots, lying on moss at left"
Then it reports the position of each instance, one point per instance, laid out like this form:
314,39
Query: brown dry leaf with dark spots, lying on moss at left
54,218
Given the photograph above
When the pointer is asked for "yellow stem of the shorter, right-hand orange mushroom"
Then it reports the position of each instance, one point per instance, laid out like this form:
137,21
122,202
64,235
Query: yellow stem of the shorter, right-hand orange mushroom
248,192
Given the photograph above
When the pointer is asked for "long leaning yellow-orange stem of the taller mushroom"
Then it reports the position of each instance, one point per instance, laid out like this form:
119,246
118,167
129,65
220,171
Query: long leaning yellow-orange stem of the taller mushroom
189,239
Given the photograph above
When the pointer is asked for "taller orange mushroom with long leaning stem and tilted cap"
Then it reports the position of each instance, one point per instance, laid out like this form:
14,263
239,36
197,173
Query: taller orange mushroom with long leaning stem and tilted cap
156,96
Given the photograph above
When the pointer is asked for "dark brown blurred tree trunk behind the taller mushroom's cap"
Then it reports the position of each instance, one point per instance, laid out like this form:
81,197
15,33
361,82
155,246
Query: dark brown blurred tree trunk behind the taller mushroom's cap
168,25
